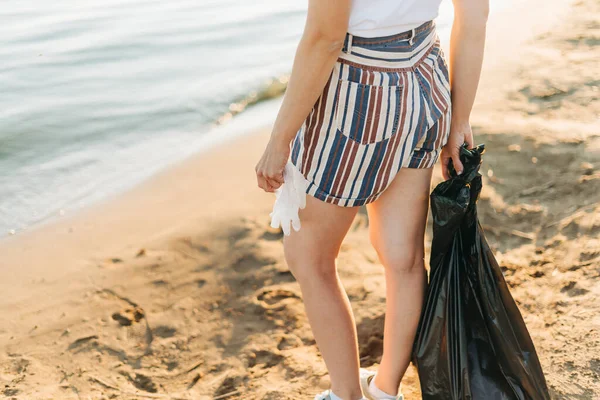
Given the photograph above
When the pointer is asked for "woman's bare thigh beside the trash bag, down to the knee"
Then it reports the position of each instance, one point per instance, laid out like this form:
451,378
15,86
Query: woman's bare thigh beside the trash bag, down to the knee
398,217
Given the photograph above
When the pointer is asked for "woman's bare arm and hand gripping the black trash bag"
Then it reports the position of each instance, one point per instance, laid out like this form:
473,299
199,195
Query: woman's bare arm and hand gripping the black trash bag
467,42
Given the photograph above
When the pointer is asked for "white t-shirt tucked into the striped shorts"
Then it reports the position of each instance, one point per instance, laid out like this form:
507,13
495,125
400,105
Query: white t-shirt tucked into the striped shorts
373,18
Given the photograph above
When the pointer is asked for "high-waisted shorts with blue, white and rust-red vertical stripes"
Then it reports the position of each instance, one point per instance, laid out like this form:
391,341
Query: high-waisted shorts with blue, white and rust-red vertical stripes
385,106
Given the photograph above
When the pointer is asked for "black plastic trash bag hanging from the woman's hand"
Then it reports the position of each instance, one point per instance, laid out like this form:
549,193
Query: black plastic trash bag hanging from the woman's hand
471,342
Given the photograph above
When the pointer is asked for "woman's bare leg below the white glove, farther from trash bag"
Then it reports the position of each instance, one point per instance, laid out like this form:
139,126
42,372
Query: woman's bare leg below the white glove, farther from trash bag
311,254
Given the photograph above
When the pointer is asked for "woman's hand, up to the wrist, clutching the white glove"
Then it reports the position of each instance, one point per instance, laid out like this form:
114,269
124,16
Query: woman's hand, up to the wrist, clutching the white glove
269,170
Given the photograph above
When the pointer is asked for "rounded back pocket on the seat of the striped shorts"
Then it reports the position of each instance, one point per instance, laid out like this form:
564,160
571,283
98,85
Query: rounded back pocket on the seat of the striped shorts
367,113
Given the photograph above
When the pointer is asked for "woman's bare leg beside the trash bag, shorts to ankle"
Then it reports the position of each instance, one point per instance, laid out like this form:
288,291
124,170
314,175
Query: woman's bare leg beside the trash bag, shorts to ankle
397,228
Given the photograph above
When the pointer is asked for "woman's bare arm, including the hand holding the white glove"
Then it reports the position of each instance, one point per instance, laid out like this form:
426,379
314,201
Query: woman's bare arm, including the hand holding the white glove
323,37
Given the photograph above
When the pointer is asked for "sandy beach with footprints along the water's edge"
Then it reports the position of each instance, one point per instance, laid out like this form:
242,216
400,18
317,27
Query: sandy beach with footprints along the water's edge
178,289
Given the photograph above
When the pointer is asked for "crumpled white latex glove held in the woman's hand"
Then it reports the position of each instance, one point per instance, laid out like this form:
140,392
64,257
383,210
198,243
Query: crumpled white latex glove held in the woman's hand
290,198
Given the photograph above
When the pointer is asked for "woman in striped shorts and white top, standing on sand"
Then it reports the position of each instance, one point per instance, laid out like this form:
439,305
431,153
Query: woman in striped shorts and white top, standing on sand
370,106
